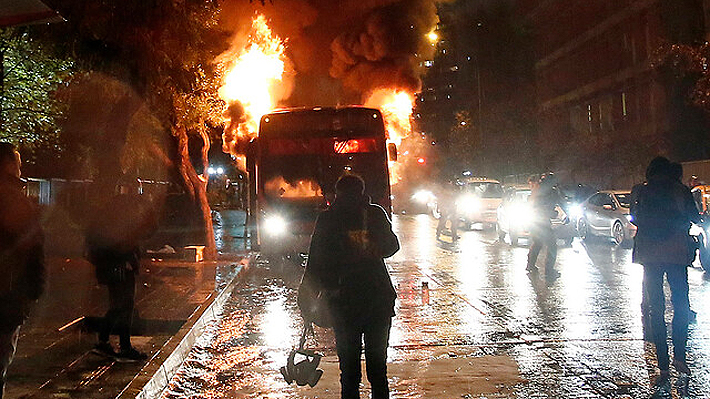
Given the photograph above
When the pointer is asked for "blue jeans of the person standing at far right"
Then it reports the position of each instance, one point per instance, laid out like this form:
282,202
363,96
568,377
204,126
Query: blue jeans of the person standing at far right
655,306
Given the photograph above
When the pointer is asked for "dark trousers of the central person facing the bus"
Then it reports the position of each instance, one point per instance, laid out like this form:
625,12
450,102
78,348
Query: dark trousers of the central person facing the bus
348,341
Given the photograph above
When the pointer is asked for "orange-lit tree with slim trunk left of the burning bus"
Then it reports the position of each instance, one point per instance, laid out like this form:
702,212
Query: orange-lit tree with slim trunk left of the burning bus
164,50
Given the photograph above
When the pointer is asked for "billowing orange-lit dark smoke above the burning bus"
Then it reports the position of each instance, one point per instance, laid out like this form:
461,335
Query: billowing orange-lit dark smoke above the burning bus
343,50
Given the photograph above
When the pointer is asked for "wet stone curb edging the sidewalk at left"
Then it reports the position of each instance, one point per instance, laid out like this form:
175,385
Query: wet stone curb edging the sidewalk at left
155,376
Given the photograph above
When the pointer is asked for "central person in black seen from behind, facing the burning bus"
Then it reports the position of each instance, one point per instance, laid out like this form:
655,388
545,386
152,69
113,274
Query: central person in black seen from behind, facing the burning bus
346,262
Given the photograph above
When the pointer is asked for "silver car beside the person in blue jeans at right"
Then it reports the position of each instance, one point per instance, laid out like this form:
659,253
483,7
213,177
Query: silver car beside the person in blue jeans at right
607,214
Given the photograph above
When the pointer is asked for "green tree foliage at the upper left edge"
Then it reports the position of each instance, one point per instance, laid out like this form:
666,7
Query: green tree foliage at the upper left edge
31,77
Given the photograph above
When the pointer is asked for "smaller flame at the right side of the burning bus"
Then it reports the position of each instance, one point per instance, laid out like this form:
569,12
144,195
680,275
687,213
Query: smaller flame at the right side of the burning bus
396,107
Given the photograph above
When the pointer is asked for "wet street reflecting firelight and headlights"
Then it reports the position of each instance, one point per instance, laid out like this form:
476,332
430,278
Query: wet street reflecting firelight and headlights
470,323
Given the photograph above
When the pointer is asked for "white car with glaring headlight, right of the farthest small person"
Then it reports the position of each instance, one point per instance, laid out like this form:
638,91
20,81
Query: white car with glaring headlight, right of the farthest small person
478,201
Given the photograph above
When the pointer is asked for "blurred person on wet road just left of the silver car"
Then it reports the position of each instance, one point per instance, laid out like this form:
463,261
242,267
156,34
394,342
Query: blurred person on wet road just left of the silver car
544,200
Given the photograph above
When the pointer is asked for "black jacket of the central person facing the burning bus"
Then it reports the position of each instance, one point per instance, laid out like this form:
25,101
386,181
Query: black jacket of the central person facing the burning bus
346,259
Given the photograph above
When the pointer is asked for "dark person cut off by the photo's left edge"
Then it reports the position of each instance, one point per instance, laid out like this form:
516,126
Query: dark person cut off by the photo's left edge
21,256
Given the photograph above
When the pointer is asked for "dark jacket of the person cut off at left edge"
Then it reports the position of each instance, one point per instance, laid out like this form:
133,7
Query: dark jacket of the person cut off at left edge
21,254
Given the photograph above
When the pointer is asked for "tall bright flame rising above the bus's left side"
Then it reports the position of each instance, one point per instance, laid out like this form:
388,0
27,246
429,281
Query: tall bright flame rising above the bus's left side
252,81
